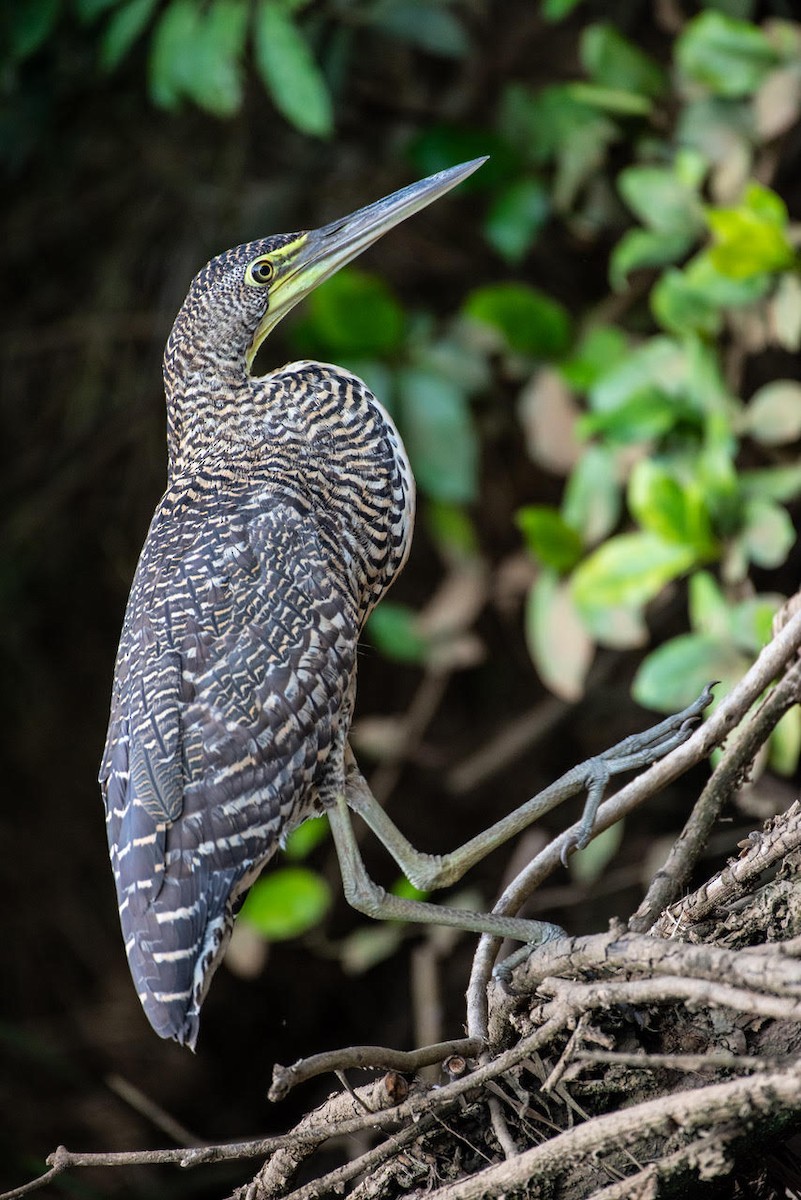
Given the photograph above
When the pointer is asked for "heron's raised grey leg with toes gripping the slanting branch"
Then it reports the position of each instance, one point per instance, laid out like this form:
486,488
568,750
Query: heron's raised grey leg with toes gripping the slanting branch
431,872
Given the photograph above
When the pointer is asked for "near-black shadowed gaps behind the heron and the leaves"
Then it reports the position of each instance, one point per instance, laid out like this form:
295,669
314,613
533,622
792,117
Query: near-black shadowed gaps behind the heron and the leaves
110,207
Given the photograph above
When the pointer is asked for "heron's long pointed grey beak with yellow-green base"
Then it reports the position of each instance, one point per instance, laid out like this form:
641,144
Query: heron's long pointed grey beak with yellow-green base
317,255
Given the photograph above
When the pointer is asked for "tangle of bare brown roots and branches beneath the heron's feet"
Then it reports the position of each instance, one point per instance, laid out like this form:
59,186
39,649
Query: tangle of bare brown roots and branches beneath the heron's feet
588,1076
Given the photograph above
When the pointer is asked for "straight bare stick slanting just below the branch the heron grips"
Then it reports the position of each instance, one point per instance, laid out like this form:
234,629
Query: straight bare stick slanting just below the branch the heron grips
728,776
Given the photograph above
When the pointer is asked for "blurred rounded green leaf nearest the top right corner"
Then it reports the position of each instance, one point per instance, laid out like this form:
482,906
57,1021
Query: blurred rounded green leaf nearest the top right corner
725,56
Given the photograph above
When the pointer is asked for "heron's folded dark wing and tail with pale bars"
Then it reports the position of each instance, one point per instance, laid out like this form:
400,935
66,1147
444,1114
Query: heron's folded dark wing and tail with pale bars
234,673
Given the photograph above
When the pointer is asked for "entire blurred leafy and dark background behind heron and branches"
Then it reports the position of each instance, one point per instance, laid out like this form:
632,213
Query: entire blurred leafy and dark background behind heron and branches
592,352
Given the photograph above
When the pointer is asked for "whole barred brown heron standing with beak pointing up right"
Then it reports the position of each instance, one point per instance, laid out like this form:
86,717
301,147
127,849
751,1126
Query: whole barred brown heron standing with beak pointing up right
288,514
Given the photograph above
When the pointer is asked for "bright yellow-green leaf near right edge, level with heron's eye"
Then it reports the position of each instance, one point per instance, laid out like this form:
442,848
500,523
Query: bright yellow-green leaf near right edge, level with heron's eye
752,238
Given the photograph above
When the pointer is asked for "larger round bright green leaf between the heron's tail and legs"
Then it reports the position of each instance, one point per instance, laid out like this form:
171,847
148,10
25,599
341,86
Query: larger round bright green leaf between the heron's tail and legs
287,903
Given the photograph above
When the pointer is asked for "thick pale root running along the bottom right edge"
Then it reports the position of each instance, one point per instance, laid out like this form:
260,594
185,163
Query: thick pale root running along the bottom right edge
743,1102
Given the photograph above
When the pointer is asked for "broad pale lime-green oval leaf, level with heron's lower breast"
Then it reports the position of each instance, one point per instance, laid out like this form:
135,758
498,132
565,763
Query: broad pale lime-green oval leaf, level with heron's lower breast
629,571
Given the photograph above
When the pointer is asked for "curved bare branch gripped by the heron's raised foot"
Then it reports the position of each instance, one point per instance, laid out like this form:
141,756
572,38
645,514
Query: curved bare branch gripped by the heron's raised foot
706,739
